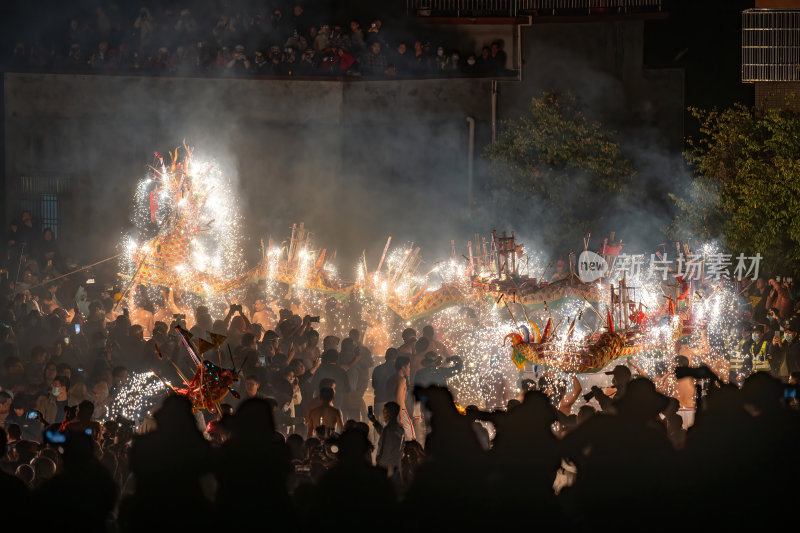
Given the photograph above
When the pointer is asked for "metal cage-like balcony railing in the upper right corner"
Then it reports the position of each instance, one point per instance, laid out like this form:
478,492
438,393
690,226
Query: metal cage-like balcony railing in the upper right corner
771,45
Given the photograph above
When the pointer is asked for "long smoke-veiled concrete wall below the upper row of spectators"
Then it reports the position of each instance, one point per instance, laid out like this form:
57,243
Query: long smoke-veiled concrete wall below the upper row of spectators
345,158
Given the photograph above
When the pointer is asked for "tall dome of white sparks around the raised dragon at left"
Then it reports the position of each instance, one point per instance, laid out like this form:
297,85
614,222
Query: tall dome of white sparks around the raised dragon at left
194,205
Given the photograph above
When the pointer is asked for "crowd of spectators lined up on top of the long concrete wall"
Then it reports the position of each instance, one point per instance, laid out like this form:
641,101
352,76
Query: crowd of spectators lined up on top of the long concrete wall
259,42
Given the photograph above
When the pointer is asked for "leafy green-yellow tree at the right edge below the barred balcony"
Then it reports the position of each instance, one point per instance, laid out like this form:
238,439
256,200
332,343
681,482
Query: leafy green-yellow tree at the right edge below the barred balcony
746,188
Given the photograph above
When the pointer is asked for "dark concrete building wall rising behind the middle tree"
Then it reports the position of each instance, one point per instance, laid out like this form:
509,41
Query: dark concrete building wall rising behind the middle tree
602,63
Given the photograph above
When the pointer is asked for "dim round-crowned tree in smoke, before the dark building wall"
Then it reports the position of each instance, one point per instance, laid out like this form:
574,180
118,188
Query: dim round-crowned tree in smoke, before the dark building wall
556,170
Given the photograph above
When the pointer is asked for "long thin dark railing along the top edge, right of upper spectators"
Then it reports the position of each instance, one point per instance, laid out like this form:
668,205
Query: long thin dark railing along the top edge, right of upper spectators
514,8
